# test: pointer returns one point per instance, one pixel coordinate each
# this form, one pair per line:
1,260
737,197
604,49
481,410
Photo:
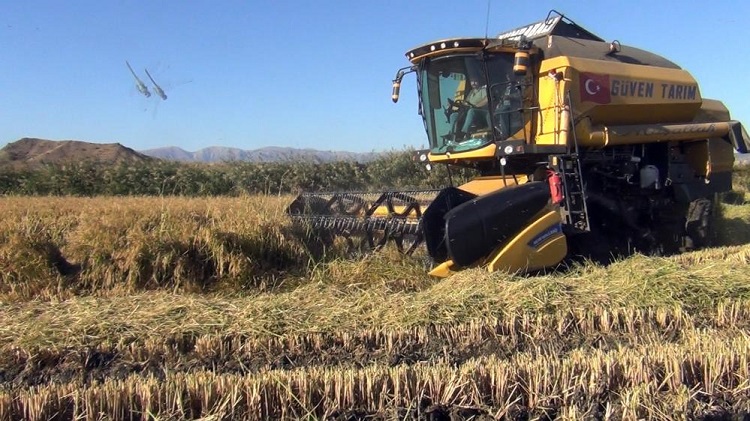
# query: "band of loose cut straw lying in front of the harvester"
693,281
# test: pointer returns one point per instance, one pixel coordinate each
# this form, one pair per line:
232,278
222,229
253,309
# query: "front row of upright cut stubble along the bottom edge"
654,381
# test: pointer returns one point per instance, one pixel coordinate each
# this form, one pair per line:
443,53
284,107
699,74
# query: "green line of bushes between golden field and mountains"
393,170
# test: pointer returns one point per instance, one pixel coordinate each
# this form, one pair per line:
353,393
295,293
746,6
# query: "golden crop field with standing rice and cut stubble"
173,308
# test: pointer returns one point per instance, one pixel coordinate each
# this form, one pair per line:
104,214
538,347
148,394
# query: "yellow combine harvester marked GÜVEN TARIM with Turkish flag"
583,147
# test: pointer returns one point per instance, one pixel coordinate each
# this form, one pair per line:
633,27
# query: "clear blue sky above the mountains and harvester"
306,74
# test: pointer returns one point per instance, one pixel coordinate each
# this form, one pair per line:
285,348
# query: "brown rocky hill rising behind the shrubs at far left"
31,153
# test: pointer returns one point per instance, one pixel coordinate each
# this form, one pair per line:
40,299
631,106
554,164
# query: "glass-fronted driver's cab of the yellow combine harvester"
471,100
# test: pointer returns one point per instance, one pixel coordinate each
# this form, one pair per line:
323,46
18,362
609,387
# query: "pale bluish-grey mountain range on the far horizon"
268,154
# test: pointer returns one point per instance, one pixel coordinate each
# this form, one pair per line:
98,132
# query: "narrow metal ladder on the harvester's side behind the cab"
575,211
